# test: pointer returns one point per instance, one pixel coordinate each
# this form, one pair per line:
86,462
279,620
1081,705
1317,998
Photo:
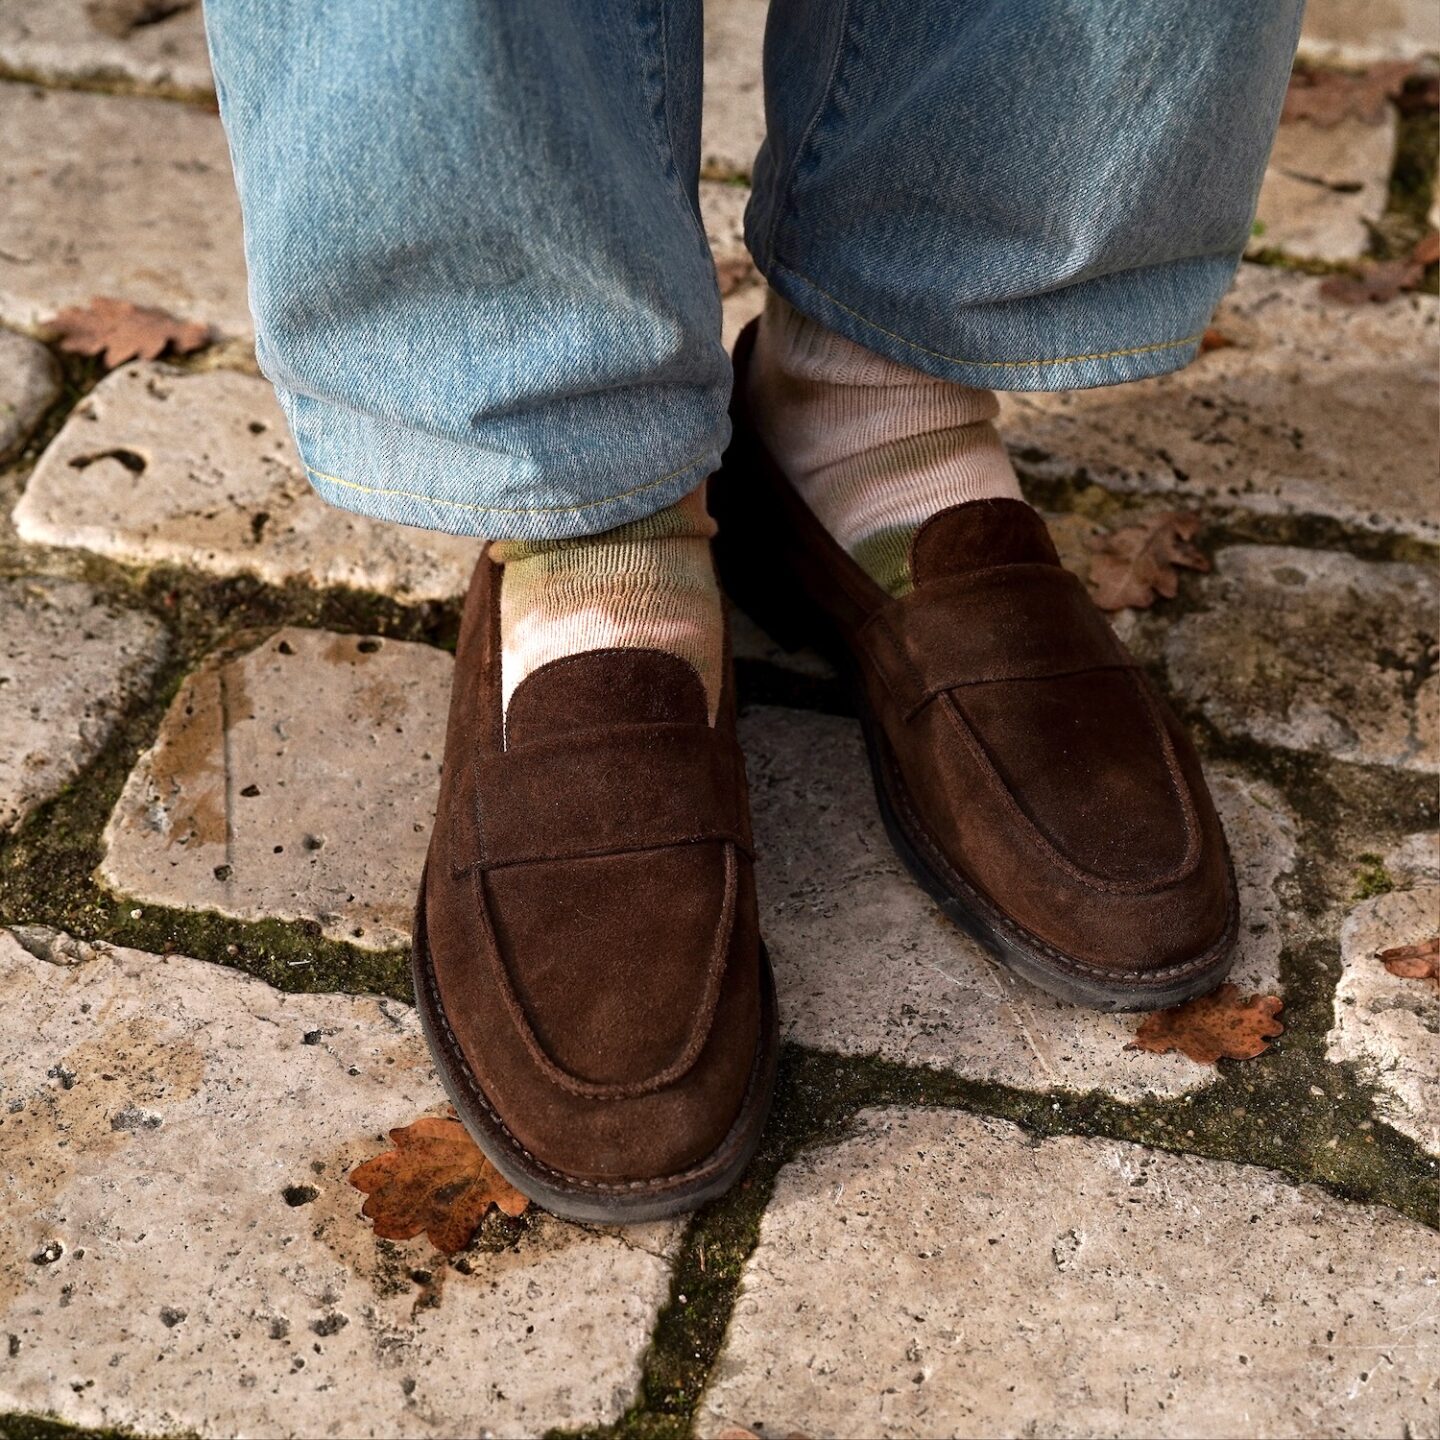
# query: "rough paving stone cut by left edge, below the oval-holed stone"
70,665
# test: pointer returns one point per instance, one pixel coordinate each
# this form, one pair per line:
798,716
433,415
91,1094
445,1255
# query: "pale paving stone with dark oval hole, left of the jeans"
161,466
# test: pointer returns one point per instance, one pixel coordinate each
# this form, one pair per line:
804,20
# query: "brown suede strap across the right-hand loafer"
1009,623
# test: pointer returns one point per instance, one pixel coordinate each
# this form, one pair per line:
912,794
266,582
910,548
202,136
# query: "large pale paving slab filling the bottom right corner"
945,1275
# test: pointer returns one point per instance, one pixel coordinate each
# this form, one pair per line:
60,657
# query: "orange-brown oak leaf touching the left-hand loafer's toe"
436,1182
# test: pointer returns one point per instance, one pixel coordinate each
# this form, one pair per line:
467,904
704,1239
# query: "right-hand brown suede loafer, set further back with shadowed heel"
1030,777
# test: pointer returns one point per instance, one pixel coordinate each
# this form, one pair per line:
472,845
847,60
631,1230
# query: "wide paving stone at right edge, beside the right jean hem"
1284,421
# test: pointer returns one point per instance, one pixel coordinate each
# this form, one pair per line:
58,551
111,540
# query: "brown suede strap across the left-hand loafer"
604,793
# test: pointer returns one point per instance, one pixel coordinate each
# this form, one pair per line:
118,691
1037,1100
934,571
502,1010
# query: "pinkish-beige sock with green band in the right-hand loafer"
873,447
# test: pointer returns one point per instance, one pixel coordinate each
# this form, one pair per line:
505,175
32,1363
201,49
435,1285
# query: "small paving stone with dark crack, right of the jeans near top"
1323,185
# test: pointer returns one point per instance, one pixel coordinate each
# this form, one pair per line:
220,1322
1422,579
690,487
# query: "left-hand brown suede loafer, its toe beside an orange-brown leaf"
588,964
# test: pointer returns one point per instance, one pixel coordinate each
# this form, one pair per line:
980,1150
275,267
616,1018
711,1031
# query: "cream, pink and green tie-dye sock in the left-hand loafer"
647,585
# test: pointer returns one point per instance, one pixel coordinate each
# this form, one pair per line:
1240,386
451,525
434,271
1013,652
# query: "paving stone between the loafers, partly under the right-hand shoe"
868,966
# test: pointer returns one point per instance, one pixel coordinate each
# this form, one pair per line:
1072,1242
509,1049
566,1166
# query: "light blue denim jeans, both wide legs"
480,282
